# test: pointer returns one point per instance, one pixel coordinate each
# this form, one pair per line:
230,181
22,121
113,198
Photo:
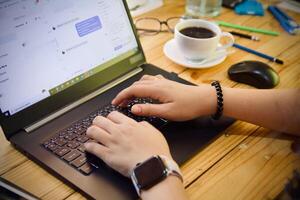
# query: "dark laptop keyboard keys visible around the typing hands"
67,144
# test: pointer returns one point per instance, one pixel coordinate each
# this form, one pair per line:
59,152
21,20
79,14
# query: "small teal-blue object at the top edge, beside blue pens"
249,7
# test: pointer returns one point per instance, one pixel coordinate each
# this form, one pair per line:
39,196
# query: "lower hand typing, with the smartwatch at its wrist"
123,142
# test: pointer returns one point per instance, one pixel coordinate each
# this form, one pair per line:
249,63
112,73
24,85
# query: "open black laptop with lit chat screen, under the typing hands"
61,64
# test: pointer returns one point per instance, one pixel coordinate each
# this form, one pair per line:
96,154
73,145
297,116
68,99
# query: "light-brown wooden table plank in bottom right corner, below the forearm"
256,169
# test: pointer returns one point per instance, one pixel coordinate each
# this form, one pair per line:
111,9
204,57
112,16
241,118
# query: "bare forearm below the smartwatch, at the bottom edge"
169,189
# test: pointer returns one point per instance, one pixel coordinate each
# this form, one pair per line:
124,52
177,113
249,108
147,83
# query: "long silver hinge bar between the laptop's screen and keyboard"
84,99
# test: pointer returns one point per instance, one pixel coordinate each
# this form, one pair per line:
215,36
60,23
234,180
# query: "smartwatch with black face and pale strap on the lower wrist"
152,171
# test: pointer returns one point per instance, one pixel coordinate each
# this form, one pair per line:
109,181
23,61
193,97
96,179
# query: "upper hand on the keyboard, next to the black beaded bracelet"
178,102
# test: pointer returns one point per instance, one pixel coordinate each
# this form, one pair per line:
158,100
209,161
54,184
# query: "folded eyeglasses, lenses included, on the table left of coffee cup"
153,26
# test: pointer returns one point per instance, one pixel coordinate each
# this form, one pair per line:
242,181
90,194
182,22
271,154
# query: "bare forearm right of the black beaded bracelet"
275,109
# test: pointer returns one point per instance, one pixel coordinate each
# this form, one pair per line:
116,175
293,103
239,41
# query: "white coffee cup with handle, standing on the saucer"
197,49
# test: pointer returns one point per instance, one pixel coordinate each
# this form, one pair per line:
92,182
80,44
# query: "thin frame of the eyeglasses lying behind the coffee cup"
165,22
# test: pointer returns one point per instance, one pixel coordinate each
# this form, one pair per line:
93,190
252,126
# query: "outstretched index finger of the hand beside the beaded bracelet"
136,91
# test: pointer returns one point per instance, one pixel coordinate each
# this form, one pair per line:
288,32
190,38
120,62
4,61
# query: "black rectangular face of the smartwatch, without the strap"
150,172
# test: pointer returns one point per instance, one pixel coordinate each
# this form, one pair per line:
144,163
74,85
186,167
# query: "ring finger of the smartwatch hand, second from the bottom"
99,135
